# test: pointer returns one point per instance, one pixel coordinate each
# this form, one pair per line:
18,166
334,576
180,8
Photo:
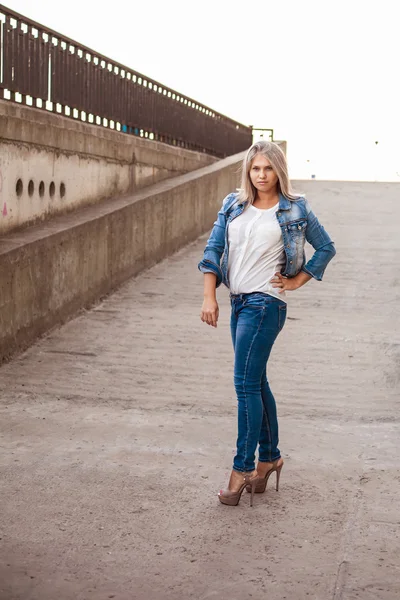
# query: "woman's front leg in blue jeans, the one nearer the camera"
256,330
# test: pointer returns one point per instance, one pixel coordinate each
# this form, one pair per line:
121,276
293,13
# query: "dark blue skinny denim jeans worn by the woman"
256,321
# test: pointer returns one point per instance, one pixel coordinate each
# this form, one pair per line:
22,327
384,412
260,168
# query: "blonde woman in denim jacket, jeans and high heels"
260,232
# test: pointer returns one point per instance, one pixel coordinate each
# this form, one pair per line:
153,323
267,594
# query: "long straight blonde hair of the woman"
277,158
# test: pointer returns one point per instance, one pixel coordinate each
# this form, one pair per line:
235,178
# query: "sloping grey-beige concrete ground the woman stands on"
118,430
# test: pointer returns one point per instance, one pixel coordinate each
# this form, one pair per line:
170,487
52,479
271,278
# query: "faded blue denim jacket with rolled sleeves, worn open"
298,223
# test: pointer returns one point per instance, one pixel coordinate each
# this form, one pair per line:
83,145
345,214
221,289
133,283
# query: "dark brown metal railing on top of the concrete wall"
44,69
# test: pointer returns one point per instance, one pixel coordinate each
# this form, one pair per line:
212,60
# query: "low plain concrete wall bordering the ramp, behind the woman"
51,270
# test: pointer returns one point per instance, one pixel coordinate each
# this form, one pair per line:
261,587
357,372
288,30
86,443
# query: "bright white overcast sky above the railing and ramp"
324,75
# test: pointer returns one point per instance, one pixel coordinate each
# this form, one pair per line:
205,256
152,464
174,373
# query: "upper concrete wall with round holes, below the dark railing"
50,164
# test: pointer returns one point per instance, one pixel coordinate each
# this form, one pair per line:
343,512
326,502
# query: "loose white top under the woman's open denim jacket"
256,251
